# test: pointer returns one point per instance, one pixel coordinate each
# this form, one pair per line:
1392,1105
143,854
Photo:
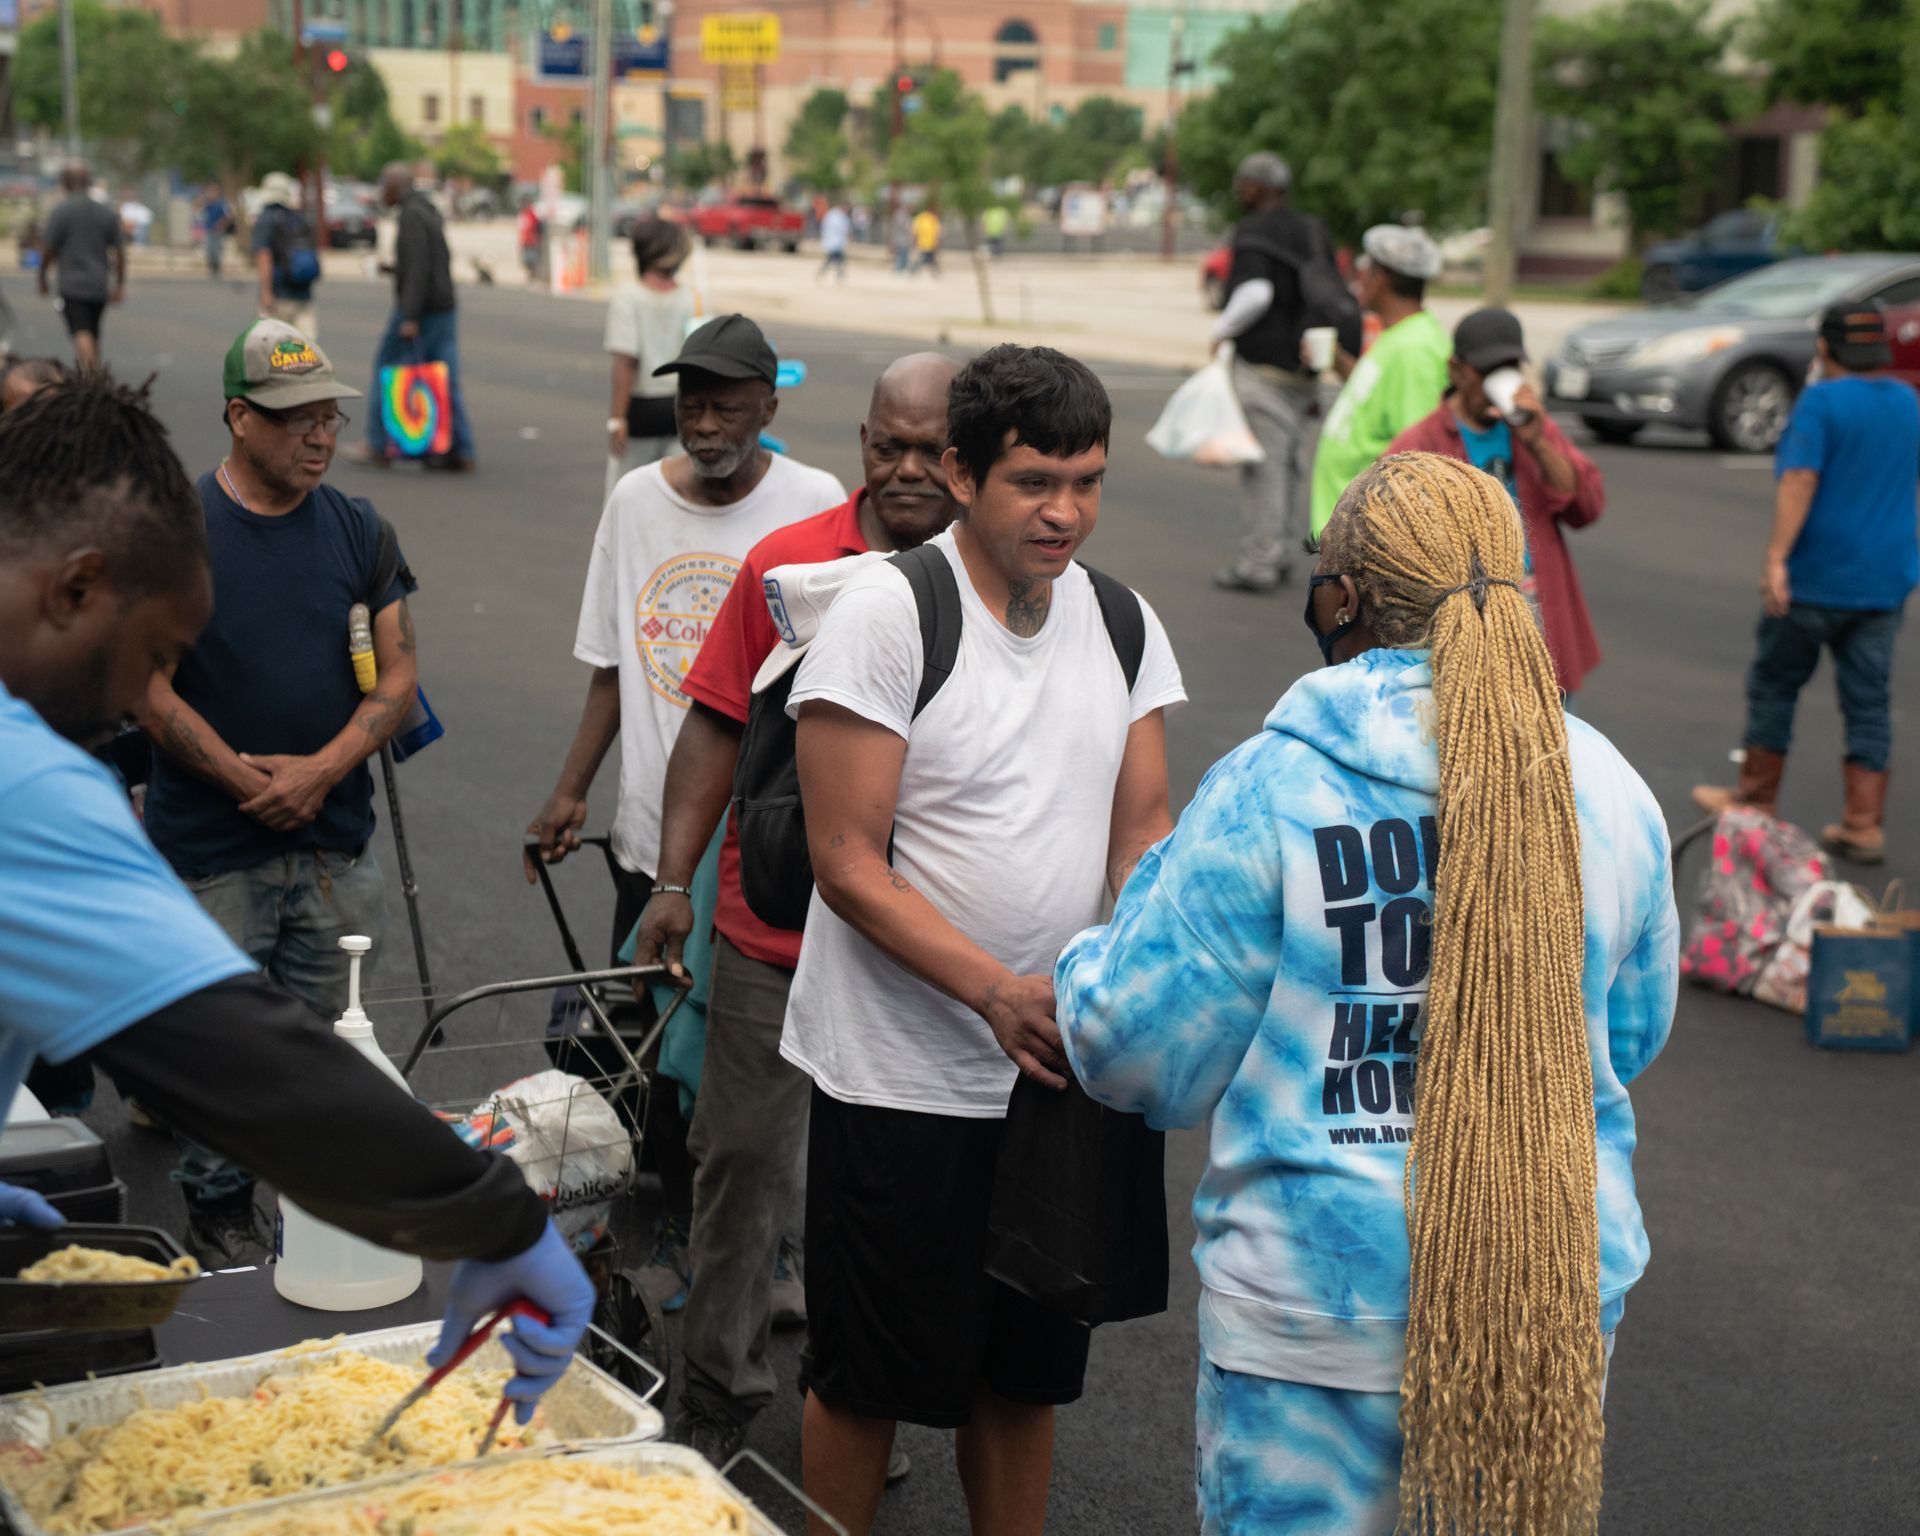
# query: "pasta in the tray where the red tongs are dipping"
302,1428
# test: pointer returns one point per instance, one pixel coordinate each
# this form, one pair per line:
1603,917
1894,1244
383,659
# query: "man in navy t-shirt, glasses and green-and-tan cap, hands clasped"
260,796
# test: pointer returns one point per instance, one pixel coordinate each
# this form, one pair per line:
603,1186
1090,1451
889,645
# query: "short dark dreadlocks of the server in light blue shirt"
85,464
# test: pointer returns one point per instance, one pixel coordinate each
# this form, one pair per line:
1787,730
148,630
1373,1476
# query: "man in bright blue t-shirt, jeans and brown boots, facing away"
1842,560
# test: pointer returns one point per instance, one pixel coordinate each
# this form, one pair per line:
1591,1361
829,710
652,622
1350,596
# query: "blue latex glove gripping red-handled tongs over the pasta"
550,1278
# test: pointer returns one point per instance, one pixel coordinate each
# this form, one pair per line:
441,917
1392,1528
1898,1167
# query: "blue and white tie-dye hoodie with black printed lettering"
1268,965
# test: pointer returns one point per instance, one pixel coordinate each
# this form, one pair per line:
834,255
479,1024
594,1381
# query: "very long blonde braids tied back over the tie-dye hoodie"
1500,1399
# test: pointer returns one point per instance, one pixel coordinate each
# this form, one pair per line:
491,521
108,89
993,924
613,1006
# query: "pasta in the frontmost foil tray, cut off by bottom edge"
531,1499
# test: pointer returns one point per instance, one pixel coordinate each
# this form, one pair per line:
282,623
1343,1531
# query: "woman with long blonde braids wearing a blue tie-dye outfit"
1410,1282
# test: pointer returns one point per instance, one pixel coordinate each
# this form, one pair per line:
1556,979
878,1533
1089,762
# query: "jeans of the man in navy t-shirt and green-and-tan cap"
289,915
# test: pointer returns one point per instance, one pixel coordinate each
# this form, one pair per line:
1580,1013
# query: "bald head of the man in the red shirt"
901,446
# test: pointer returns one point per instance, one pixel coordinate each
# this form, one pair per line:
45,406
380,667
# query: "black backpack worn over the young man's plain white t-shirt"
777,873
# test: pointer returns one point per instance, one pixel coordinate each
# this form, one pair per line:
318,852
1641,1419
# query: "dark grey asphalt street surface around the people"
1765,1372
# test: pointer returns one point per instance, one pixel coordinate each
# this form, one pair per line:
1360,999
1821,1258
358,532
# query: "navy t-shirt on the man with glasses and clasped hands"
272,673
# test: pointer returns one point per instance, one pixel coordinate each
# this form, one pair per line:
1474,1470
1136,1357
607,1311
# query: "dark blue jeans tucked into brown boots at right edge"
1863,661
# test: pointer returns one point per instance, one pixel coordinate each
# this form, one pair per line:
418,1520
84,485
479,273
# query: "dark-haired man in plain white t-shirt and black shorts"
957,848
